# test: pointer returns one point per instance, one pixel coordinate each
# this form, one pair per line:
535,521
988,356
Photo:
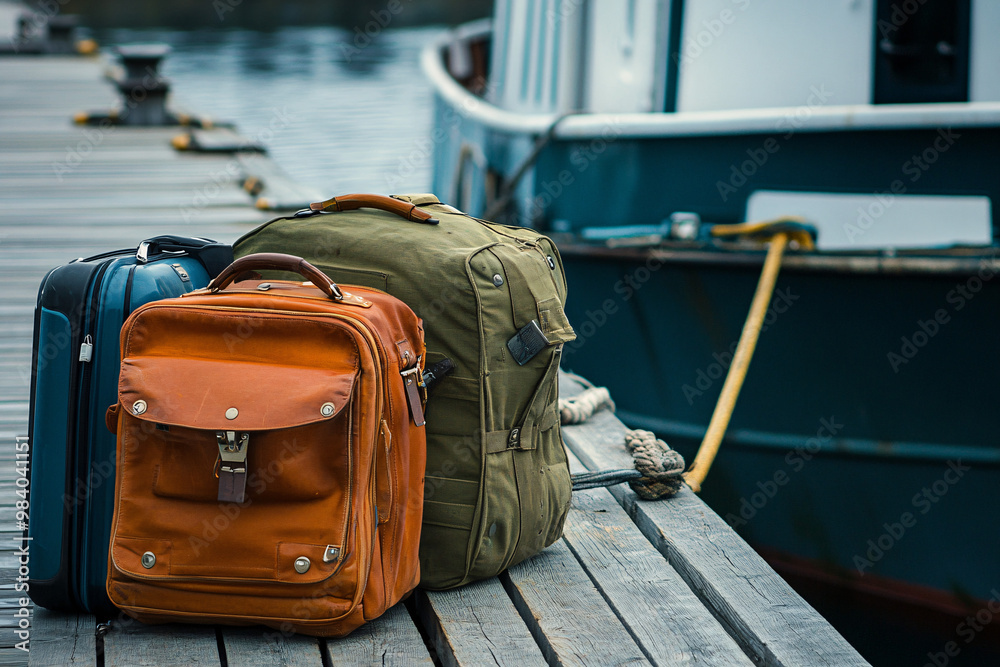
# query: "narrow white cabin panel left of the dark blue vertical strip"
627,61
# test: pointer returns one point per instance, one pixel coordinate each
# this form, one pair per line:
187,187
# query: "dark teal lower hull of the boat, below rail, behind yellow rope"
864,439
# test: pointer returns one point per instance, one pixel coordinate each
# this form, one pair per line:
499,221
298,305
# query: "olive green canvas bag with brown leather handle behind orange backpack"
497,484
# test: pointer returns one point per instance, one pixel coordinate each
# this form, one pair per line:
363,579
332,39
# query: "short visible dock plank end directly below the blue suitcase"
61,640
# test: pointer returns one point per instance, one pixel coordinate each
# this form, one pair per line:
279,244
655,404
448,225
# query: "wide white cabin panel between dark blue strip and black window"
739,54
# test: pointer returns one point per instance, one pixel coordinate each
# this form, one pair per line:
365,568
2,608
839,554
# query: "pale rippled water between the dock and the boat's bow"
334,116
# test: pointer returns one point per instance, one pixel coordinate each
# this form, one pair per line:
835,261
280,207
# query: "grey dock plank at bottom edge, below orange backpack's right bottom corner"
391,639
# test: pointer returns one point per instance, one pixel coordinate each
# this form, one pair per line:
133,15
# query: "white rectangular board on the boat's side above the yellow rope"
880,220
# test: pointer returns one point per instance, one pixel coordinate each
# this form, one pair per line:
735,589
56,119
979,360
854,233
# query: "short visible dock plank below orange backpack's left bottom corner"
133,644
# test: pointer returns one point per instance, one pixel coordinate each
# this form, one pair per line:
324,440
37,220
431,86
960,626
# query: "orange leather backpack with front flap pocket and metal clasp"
271,454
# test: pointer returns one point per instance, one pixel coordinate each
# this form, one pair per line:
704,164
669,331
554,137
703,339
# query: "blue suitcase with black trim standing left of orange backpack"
74,378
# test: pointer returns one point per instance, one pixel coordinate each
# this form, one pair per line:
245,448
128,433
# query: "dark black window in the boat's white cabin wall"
921,51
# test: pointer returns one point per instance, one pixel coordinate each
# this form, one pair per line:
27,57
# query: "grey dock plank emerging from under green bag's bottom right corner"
568,617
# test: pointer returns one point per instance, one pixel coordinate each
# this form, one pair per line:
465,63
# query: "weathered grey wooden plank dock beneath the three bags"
631,582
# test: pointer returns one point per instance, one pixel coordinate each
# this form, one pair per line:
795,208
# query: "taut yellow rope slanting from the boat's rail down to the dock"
741,362
